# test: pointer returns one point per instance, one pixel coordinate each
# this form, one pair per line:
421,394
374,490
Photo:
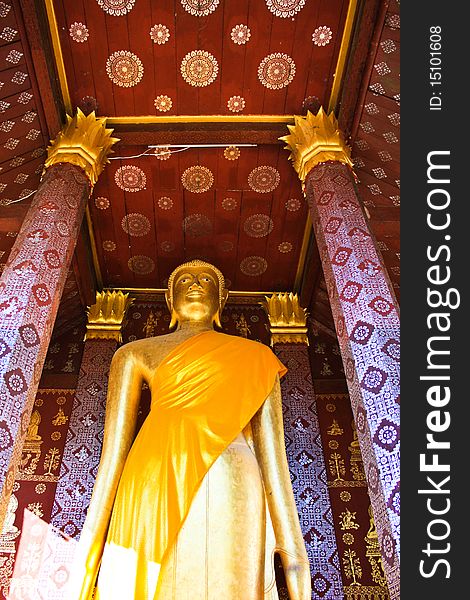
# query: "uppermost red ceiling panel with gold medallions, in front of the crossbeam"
306,33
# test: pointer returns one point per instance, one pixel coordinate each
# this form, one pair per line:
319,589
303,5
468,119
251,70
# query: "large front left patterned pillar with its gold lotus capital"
33,279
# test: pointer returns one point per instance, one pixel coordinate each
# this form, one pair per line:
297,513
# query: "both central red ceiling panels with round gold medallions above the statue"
256,242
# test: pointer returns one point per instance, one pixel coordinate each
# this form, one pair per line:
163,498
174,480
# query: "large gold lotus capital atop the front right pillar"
315,139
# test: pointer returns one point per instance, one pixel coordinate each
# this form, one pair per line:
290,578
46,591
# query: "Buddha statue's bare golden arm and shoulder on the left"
124,388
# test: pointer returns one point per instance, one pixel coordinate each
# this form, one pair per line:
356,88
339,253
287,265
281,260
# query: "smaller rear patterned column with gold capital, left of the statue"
85,434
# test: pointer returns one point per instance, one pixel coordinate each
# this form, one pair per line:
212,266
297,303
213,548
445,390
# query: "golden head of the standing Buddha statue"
196,294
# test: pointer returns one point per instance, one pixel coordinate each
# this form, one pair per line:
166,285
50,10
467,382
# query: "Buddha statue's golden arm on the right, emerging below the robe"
268,435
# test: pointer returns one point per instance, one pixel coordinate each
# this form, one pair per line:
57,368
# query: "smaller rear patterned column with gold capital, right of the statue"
303,444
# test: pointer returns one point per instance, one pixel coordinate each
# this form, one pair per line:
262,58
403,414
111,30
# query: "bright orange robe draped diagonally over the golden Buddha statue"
204,393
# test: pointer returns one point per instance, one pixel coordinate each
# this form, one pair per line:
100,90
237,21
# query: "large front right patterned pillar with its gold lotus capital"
365,314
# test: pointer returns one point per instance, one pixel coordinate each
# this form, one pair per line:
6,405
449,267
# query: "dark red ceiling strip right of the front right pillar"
376,148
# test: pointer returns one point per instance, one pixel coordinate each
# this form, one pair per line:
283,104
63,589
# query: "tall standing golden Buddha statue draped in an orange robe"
198,504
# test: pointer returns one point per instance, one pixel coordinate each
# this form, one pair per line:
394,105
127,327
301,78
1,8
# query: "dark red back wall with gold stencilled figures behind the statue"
357,562
